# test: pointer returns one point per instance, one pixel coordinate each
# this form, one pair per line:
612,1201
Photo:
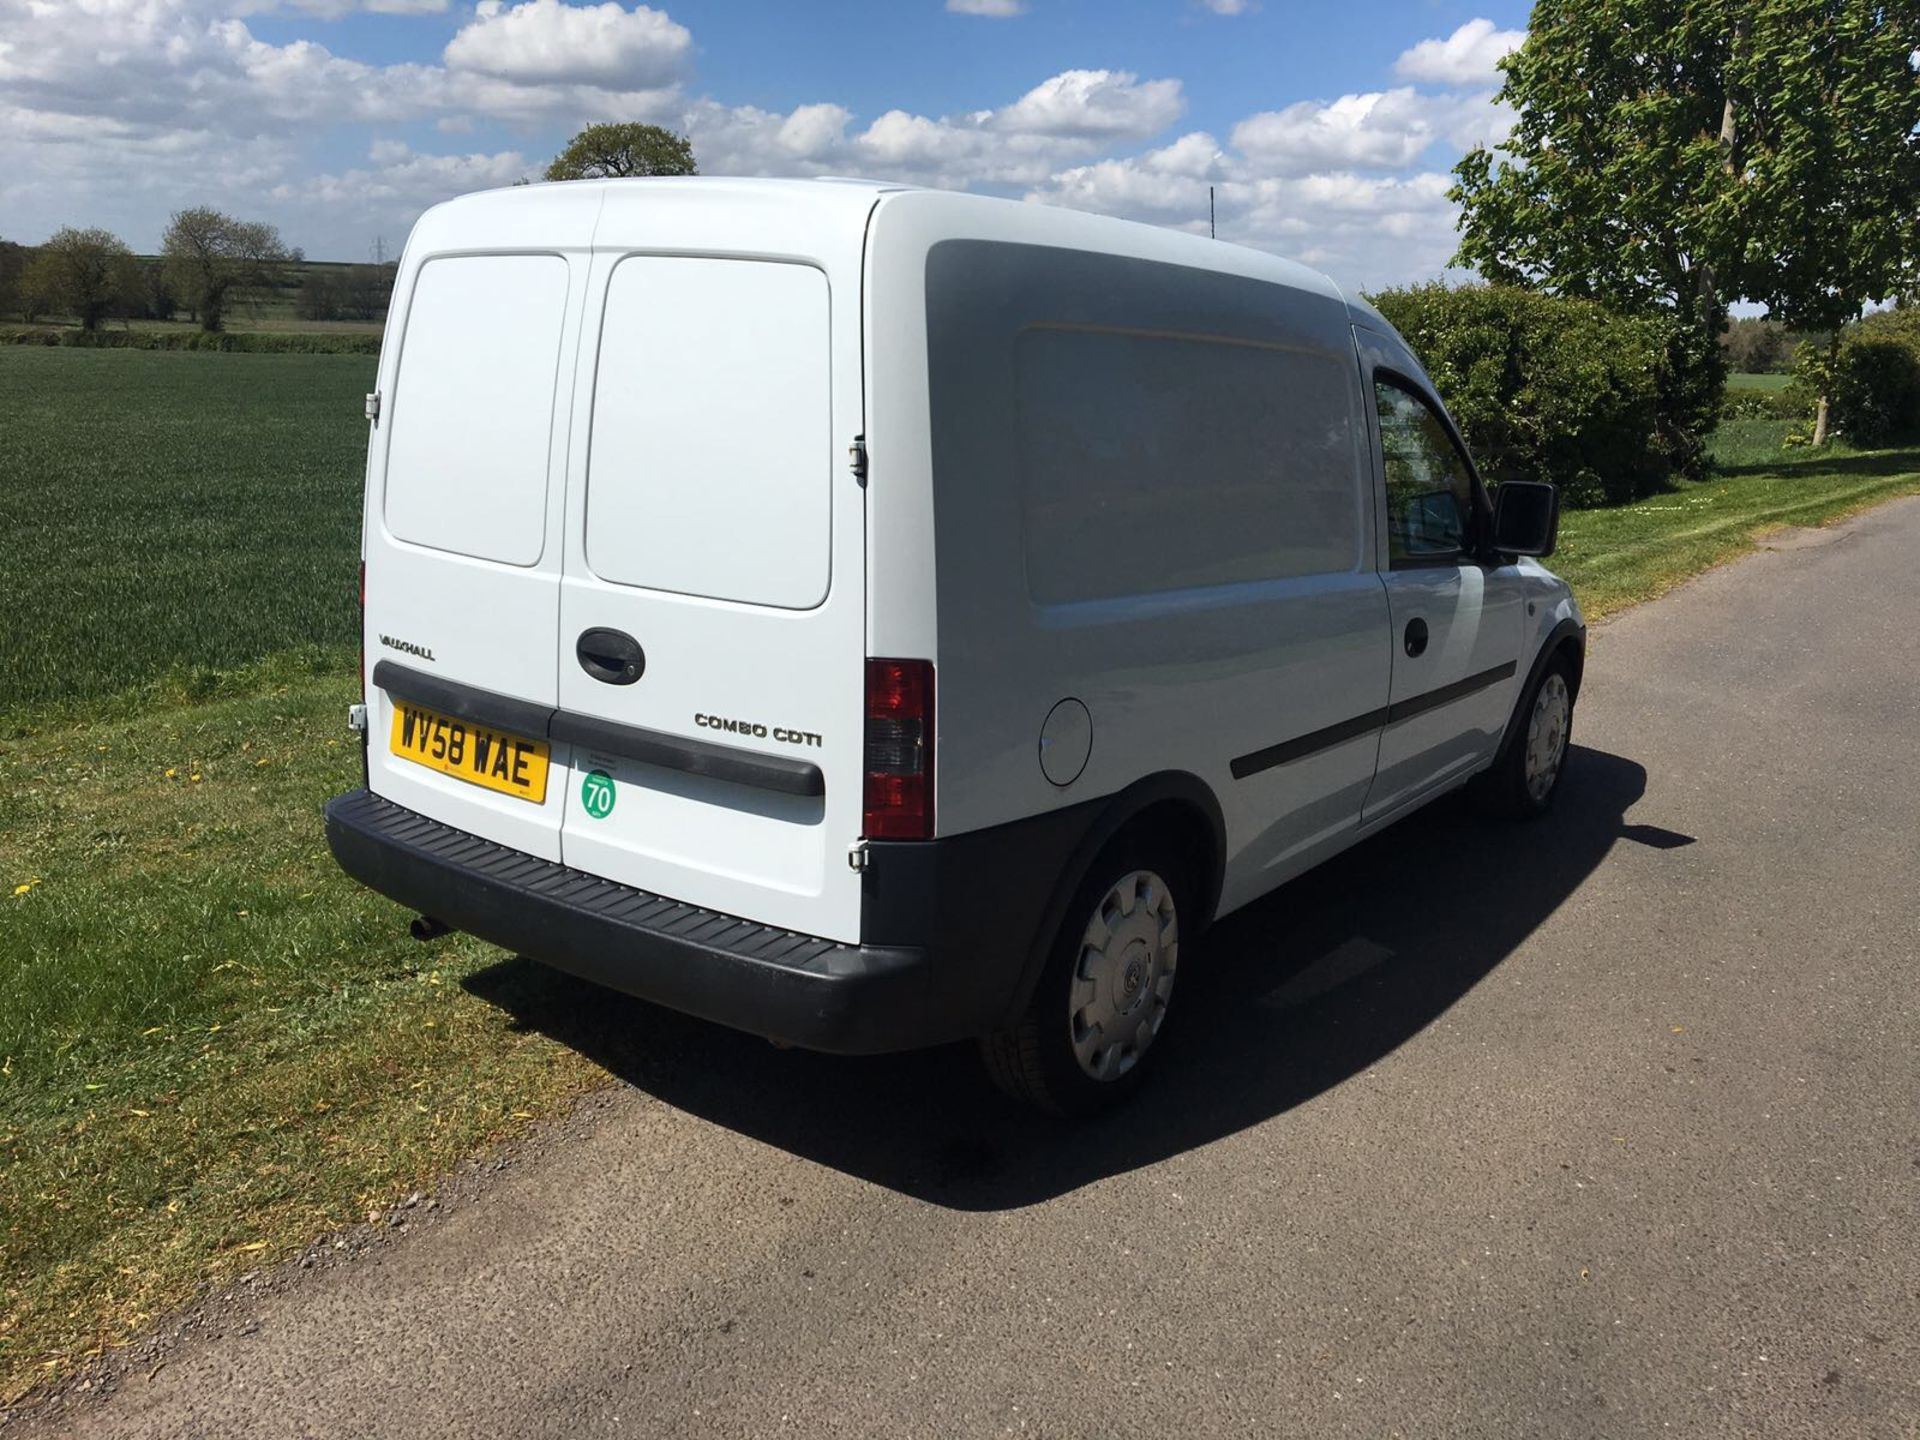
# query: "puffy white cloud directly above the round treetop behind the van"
546,41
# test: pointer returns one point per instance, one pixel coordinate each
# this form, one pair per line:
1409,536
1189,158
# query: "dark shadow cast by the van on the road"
1285,999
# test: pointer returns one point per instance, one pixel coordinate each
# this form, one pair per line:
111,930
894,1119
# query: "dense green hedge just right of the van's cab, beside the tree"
1547,389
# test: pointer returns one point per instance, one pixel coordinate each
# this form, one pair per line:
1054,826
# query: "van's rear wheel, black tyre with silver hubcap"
1107,990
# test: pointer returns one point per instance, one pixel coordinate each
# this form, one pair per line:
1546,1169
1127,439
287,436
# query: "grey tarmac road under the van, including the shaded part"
1604,1126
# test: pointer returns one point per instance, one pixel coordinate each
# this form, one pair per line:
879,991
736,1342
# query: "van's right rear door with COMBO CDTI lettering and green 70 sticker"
713,600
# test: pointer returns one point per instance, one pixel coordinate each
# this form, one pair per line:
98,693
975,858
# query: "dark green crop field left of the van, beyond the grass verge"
174,517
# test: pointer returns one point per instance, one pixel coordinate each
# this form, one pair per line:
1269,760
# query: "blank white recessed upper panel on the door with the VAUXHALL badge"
471,418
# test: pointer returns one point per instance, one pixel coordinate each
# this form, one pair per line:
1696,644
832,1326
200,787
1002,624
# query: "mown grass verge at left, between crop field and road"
212,1044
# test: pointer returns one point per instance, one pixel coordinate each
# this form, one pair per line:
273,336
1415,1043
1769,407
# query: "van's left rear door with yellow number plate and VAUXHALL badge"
464,517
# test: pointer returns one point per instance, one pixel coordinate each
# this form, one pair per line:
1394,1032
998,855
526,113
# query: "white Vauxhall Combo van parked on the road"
880,617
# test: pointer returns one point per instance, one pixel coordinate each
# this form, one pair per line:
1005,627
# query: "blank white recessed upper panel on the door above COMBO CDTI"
711,452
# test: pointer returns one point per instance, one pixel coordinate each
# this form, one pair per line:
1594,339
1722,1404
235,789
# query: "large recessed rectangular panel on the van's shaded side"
1161,462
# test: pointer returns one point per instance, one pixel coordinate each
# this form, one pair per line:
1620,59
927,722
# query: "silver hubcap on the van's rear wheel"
1124,976
